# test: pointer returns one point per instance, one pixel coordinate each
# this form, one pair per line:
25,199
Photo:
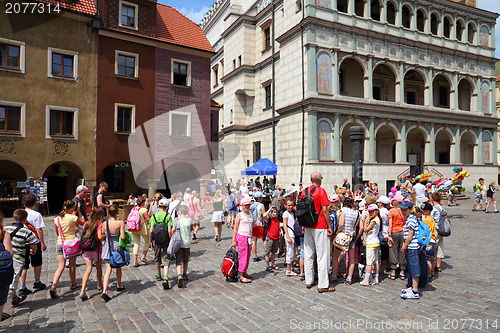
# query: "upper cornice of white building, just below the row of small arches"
311,22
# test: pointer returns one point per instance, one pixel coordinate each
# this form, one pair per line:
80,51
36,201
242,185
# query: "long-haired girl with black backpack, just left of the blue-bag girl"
90,239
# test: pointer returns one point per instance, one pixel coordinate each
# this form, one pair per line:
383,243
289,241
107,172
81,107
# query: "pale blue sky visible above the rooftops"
196,9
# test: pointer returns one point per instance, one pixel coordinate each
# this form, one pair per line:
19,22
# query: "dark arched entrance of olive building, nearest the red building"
62,179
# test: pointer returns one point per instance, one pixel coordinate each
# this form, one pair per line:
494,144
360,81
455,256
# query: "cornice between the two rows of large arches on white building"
386,110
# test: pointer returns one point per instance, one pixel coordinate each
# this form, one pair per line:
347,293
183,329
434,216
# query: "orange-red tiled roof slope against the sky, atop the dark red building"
175,28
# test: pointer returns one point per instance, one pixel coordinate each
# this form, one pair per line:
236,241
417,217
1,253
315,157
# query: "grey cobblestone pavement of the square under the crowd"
464,297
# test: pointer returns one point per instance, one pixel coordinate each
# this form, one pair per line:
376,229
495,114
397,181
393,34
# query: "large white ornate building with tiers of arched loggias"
417,75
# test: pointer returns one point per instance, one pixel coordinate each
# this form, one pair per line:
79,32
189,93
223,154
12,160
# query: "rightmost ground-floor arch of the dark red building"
178,177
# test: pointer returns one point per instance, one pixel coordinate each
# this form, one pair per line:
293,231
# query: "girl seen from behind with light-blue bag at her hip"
116,231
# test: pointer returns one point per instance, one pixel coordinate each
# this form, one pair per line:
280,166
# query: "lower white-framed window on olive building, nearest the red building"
61,122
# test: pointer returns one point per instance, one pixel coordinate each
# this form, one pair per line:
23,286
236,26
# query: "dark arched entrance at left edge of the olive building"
10,174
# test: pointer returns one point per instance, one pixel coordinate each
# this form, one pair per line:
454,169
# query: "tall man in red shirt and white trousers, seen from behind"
316,237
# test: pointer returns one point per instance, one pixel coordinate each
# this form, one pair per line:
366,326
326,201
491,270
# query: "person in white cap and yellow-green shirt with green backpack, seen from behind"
161,256
